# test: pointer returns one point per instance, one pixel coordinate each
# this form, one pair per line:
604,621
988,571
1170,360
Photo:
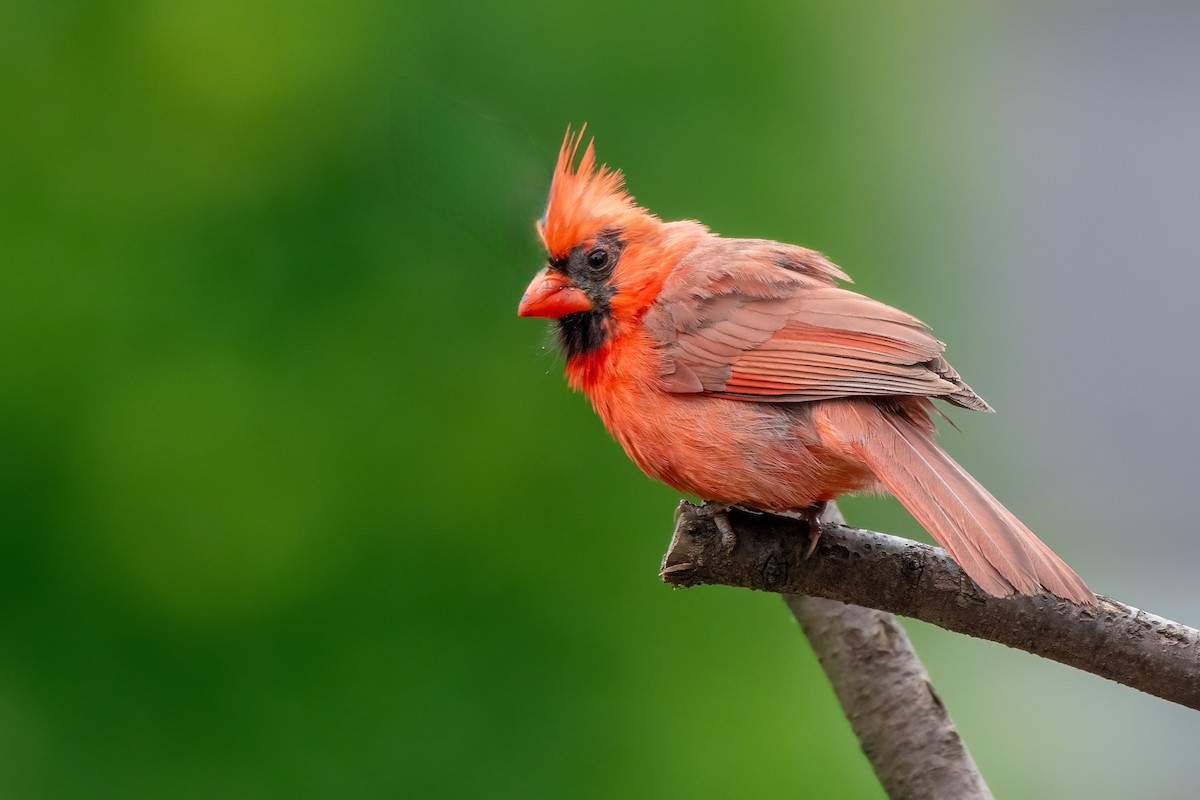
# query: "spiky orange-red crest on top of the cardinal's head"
583,201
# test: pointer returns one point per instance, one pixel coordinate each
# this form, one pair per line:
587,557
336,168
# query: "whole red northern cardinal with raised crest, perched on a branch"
739,371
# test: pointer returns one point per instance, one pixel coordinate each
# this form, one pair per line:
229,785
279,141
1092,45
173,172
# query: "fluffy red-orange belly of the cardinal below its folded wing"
764,455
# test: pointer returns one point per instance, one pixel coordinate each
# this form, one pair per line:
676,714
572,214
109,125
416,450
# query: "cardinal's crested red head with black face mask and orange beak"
601,245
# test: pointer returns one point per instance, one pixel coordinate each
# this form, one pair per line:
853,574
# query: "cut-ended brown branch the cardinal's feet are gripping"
904,578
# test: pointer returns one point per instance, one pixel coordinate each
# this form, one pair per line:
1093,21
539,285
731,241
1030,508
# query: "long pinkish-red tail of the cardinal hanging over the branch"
985,538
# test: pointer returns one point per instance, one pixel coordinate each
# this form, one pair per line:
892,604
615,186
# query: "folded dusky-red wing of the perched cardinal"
754,329
